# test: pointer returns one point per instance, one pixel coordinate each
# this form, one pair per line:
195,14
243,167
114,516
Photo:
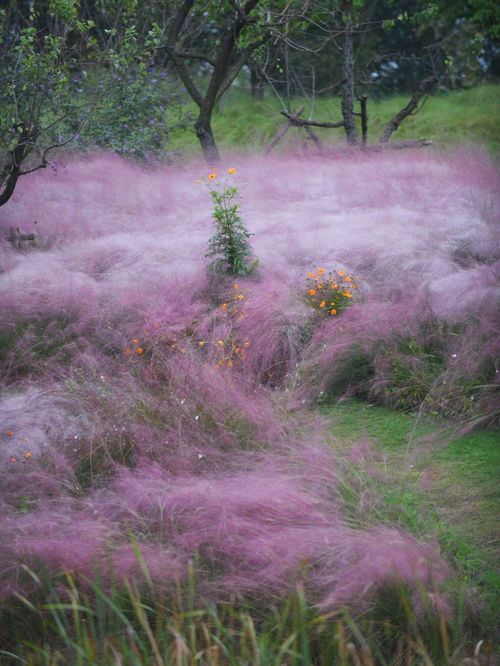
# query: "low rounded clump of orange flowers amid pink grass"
330,293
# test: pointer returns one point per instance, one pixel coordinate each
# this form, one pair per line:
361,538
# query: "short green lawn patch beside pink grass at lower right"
430,483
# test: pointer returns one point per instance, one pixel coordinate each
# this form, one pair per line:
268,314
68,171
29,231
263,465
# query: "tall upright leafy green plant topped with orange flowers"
229,245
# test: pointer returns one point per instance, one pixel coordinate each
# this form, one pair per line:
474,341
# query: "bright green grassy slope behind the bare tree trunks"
447,118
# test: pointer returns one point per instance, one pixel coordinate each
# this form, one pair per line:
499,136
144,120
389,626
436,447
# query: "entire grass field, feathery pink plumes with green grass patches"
199,468
